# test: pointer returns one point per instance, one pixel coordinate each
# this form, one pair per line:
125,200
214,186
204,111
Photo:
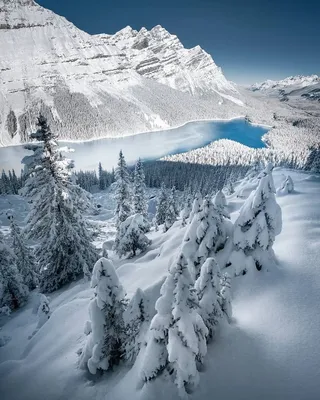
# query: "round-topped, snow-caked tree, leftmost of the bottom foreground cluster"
106,329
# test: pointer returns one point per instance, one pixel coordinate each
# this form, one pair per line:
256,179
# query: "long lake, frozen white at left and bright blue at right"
148,146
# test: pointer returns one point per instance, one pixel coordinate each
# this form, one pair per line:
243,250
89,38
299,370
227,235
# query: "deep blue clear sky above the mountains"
251,40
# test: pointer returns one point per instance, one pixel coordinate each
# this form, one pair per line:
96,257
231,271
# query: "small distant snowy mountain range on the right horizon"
286,85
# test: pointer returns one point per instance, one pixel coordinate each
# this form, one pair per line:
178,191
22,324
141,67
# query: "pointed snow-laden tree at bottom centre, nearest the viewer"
177,334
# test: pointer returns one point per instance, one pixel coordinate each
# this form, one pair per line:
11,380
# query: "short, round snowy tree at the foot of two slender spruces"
131,236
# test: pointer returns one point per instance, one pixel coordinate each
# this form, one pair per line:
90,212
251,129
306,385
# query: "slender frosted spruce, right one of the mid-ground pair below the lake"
139,191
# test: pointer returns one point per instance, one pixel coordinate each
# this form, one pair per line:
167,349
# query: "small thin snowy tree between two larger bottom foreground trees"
136,319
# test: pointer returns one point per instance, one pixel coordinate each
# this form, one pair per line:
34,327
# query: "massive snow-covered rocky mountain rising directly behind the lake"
101,85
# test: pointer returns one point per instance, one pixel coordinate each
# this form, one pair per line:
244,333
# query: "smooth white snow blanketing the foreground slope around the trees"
270,350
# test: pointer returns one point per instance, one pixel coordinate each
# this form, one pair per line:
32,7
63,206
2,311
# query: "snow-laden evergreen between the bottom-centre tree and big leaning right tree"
205,236
